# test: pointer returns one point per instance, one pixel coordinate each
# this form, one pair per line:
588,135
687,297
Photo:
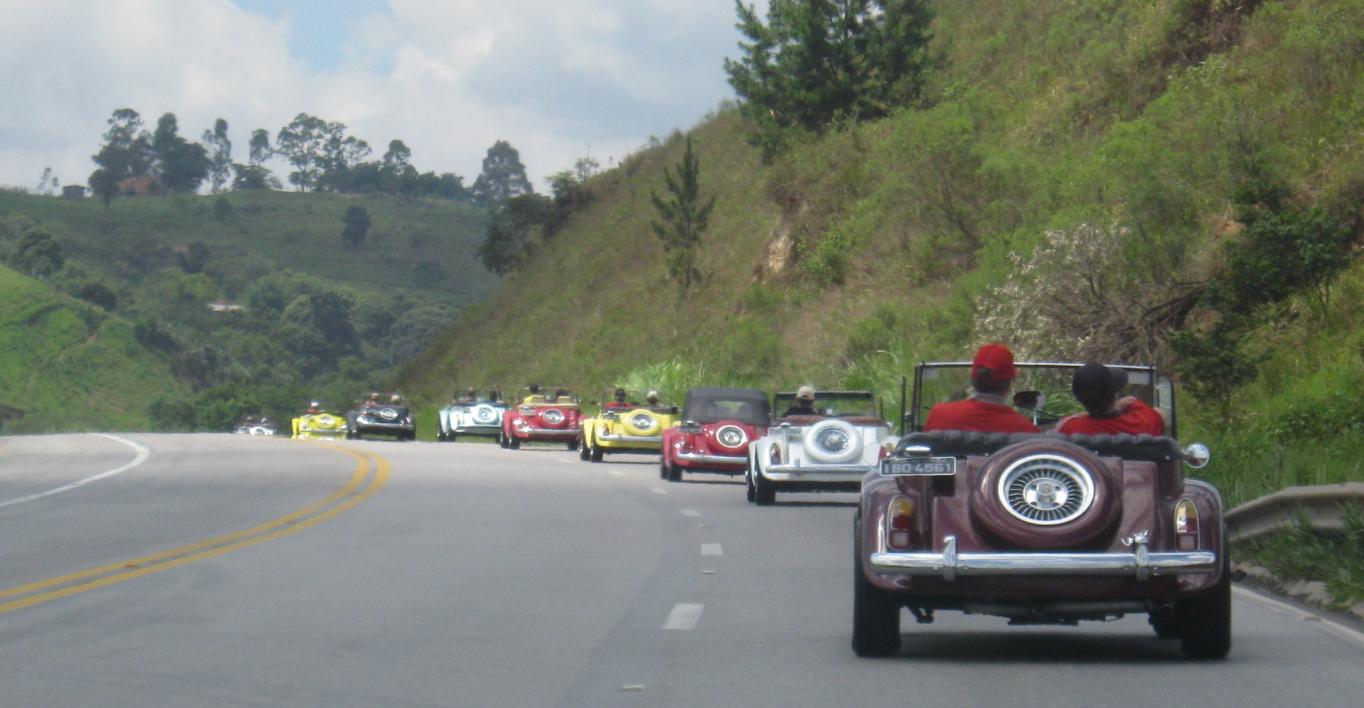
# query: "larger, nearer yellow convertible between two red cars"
625,425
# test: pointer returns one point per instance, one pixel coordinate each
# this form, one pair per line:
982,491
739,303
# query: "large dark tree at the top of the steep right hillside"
816,62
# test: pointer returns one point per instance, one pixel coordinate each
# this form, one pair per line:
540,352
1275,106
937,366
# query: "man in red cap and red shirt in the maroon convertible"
987,410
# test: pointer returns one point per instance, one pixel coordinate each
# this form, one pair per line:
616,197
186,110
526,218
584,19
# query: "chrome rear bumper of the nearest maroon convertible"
950,564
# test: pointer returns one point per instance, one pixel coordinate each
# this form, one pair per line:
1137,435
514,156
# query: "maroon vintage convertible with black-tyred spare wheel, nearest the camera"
1041,527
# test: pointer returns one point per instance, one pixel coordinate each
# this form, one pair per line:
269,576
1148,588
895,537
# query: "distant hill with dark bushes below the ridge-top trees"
305,302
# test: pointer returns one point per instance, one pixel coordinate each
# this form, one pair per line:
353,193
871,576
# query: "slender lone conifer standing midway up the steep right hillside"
684,219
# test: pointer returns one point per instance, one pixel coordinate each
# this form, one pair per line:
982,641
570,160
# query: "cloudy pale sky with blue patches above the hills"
560,80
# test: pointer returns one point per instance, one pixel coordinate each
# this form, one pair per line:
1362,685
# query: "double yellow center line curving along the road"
361,488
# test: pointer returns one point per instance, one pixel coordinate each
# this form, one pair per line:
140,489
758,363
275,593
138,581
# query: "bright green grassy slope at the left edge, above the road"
70,366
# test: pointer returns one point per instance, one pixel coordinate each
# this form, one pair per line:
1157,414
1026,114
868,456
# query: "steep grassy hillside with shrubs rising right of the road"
1061,145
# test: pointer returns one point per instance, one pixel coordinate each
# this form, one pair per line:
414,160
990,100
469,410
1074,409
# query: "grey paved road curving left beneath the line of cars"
222,571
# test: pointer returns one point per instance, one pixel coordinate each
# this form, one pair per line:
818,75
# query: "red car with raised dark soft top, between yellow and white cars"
718,426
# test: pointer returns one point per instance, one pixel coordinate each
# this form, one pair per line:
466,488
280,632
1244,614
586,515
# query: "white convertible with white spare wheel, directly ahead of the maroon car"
829,451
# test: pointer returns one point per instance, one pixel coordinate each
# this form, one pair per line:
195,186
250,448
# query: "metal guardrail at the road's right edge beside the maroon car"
1322,505
